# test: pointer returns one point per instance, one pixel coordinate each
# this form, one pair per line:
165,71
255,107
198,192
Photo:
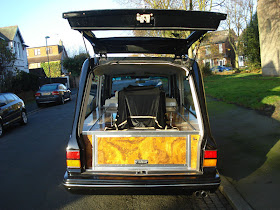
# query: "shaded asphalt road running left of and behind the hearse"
32,166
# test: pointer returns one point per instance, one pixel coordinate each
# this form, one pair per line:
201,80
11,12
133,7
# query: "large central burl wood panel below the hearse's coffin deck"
157,150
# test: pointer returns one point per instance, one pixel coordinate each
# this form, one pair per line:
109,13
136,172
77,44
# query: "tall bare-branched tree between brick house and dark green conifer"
239,15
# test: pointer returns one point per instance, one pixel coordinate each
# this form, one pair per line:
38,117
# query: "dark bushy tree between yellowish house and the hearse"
75,63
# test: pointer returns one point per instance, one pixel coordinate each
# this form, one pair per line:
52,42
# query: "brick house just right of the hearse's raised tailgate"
216,50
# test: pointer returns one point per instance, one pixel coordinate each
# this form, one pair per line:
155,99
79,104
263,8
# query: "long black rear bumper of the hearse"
187,182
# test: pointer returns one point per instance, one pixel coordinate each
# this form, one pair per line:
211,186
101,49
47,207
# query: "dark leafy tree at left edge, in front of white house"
7,58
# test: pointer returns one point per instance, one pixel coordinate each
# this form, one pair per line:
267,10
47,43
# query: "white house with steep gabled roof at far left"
13,37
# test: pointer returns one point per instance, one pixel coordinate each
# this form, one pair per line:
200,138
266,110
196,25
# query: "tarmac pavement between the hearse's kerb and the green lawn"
249,152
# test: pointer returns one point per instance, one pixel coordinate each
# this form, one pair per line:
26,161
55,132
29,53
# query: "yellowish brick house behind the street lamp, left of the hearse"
52,54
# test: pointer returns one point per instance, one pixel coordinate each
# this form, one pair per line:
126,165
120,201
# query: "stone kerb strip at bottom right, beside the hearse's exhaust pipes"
232,195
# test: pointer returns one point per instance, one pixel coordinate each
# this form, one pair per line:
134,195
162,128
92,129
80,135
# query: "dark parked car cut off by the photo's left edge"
12,110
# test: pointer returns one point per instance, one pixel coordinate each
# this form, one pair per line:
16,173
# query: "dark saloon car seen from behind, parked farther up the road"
52,93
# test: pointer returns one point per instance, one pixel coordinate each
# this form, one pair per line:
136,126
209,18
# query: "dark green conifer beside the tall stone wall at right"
252,42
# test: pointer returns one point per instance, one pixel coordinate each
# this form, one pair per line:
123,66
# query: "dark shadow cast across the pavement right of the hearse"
244,138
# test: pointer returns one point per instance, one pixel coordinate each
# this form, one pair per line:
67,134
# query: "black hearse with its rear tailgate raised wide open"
148,125
